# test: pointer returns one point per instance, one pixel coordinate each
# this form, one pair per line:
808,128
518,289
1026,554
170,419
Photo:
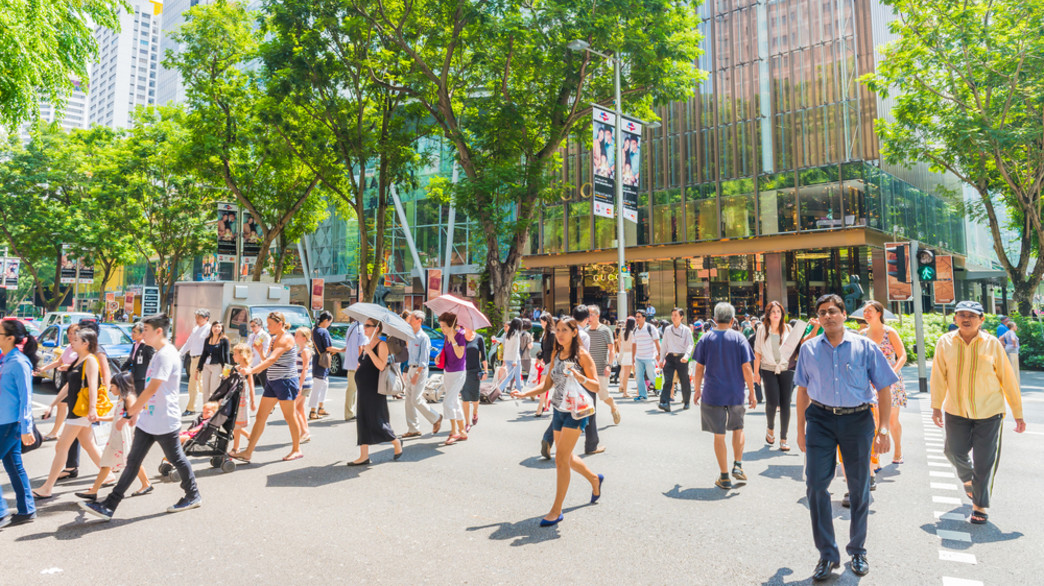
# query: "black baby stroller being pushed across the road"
217,437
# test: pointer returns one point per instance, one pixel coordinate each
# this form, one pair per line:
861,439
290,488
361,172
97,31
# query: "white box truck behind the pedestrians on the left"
235,304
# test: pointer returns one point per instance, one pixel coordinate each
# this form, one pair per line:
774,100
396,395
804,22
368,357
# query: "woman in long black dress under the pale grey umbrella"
373,424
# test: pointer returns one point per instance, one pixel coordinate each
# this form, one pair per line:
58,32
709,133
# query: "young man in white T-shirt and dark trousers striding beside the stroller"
156,416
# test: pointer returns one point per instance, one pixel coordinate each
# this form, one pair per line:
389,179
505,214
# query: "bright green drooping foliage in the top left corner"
44,49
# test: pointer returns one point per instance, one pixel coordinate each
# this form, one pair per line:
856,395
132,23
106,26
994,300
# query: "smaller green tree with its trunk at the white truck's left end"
172,209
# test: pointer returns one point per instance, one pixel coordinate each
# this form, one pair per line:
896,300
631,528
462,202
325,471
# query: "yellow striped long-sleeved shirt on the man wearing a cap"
972,381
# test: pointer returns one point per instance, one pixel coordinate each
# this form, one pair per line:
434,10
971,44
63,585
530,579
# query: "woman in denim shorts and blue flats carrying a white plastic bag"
570,361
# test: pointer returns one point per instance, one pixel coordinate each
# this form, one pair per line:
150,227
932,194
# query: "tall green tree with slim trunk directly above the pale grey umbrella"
361,138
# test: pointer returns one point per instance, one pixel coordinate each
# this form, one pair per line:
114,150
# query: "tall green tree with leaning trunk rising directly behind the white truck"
230,137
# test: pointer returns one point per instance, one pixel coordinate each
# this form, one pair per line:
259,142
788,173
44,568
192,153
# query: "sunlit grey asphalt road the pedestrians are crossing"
469,513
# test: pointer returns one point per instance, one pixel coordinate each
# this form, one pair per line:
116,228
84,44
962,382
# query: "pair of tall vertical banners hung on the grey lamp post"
604,161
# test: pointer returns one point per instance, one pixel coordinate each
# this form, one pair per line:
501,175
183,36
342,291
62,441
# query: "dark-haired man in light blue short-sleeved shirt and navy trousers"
837,376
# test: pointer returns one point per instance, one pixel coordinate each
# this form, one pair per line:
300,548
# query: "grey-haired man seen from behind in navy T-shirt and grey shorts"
725,359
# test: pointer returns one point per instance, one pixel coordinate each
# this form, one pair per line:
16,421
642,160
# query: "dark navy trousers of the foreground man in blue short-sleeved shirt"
825,433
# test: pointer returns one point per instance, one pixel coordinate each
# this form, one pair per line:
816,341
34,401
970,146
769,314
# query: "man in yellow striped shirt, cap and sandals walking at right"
971,378
